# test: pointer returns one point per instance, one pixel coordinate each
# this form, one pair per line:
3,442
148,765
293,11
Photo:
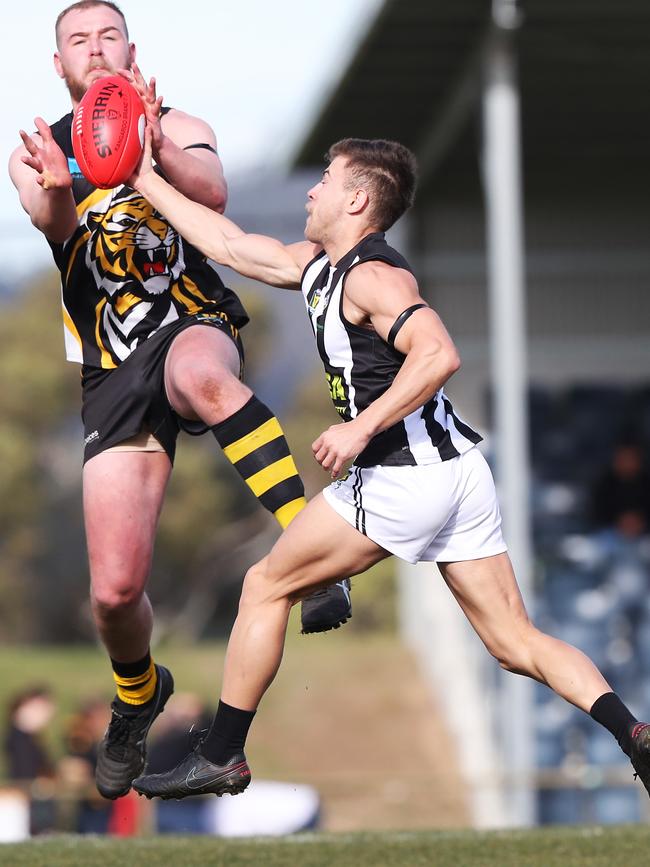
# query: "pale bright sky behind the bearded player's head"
256,71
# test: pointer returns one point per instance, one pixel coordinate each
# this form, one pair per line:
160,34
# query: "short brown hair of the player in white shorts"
387,168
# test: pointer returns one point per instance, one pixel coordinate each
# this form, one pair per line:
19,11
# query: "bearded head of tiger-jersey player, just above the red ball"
92,43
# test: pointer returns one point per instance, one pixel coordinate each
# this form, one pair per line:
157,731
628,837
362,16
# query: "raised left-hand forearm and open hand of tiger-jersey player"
39,171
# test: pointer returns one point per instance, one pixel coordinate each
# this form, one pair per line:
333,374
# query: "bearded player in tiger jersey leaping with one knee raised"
157,335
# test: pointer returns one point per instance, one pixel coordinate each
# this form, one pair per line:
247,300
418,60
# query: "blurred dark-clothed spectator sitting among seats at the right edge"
620,499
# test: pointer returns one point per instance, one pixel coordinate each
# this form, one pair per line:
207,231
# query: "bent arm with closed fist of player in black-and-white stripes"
376,294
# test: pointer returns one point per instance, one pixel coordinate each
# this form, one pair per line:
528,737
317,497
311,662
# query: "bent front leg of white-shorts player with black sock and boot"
315,549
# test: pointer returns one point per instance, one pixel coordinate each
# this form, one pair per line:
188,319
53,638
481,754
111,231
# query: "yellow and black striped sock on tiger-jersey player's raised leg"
254,443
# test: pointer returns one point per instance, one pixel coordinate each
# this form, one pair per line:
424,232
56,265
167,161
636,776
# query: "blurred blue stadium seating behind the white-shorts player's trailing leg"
592,593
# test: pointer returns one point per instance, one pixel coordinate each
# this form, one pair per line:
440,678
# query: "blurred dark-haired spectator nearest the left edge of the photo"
28,716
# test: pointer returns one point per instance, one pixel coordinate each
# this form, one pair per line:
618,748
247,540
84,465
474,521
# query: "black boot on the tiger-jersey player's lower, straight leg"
122,753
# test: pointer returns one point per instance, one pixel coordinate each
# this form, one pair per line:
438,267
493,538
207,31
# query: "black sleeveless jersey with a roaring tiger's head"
126,272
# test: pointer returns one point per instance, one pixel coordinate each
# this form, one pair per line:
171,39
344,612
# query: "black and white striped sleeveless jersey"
360,367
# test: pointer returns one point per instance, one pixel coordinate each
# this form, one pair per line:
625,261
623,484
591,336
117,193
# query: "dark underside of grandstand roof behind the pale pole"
584,72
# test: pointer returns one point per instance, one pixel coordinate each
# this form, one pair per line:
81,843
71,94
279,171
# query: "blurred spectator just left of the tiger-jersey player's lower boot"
83,733
